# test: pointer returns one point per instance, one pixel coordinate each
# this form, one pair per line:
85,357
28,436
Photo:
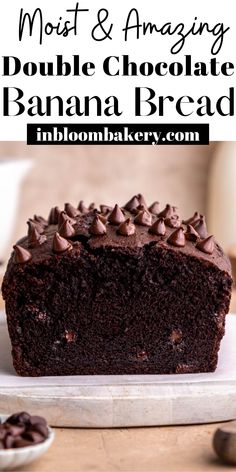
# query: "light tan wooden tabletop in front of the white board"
159,449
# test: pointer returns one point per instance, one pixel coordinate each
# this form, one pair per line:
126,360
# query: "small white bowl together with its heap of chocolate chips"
23,439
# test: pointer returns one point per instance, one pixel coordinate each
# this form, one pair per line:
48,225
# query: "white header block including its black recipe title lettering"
142,61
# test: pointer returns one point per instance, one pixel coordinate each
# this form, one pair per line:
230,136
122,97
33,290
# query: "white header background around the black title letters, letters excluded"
153,48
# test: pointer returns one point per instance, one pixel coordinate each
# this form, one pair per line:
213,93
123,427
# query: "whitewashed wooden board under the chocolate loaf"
117,401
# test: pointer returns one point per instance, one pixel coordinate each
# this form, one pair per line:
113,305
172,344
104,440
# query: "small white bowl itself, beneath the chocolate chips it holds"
12,458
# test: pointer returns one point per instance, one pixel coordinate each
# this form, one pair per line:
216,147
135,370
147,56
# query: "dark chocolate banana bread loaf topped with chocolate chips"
116,290
